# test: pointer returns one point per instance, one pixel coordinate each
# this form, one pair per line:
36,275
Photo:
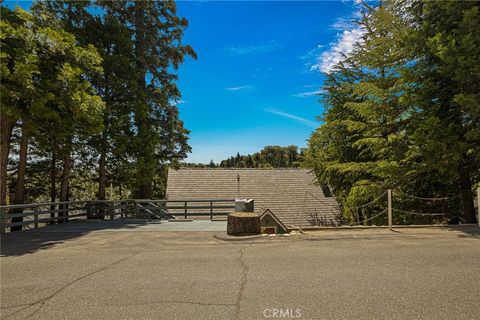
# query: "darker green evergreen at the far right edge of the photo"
446,45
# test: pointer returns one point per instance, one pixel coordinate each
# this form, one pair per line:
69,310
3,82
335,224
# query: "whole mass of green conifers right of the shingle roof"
401,110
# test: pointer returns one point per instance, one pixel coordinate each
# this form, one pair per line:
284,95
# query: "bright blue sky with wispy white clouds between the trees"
258,70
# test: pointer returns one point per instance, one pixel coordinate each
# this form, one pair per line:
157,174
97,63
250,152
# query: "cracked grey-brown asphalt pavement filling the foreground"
137,273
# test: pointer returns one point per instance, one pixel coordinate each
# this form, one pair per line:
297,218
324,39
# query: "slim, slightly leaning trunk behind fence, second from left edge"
20,183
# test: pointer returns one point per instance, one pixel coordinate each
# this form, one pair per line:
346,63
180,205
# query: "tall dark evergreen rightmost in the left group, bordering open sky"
158,49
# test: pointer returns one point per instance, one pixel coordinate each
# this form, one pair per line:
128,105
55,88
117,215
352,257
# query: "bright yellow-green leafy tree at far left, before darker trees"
54,90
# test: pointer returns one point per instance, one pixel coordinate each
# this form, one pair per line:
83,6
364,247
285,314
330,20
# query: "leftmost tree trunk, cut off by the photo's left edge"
6,127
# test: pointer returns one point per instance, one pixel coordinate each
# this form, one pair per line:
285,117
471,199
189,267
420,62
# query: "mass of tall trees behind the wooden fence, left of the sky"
89,99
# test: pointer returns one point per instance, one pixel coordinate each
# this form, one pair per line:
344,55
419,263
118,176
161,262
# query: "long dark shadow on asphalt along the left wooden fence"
30,241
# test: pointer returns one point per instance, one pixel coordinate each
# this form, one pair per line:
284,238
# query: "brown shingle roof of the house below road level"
280,190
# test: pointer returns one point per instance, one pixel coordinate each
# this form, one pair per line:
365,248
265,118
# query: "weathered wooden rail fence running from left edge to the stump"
27,216
